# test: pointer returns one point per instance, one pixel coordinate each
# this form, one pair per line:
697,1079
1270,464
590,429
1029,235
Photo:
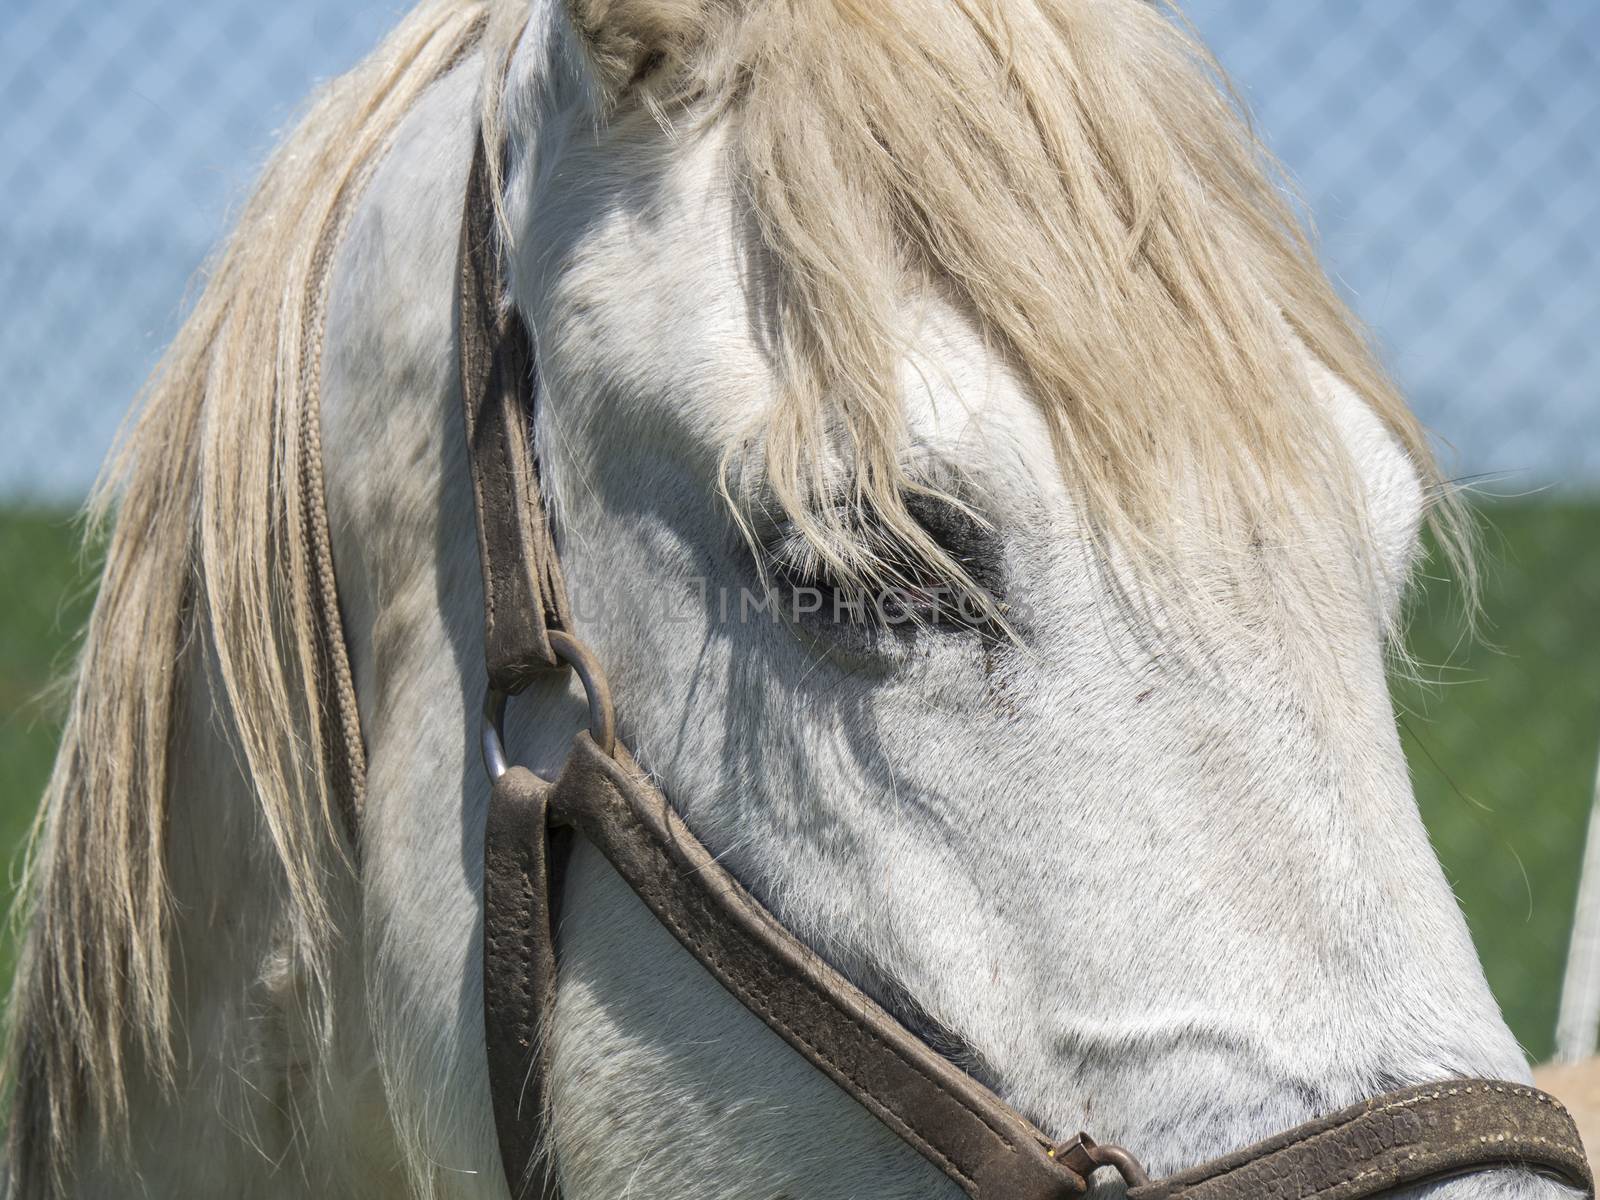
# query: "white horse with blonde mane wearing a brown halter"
980,295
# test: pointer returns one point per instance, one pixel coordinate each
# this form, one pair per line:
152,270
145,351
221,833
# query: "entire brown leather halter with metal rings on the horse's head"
958,1124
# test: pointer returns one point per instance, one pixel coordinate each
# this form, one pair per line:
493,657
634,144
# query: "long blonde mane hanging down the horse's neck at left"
204,508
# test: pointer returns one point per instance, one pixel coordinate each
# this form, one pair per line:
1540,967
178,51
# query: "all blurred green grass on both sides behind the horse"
1503,751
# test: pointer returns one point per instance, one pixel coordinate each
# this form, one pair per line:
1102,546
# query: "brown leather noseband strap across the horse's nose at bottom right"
1412,1137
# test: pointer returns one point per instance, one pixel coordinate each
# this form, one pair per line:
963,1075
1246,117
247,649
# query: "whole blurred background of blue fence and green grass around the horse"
1447,150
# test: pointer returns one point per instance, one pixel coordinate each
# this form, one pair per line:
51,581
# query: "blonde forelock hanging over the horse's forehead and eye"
1078,178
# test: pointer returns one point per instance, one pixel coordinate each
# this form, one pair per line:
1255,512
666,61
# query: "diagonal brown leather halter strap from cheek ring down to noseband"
958,1124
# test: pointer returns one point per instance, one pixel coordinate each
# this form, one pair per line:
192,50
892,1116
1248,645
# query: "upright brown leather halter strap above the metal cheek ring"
524,596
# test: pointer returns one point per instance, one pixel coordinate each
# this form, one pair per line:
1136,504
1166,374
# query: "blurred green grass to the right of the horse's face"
1503,750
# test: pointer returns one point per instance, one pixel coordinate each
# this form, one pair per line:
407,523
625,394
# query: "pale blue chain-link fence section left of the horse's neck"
130,134
